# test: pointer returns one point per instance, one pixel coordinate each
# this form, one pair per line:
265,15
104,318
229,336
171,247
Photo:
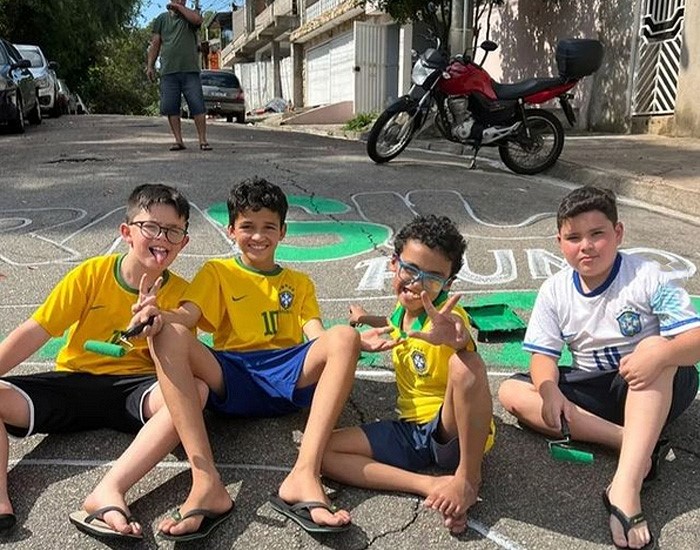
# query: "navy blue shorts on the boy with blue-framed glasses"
411,446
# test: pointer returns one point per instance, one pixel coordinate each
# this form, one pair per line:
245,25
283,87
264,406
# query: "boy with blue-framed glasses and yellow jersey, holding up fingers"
444,403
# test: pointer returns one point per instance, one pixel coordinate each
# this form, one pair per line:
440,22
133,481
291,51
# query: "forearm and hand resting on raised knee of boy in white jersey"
645,363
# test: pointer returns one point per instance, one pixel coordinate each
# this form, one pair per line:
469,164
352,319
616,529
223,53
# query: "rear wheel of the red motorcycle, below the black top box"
535,153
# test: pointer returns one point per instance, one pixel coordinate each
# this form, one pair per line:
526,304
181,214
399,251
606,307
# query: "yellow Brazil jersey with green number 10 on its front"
246,309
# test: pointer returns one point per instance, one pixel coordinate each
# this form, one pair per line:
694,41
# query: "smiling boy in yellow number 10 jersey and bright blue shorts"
260,365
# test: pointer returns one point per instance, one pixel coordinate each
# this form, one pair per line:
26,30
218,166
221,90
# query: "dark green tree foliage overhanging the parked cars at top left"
70,32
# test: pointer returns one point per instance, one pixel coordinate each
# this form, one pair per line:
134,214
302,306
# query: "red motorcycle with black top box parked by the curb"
469,107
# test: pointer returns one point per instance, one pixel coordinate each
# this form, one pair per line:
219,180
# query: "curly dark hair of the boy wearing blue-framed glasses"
437,233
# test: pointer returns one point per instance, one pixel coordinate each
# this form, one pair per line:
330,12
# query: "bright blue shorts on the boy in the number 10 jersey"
262,383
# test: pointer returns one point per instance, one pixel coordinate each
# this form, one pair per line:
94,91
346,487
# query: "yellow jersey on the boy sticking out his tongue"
92,302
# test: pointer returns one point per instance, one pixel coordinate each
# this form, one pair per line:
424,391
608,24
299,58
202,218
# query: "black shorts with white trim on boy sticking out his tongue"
61,402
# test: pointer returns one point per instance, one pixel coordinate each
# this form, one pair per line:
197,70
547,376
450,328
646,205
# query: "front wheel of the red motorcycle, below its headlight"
391,133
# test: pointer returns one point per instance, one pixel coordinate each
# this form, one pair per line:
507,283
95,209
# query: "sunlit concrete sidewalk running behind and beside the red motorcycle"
659,170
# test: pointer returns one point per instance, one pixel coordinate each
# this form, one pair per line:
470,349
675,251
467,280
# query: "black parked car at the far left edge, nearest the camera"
19,100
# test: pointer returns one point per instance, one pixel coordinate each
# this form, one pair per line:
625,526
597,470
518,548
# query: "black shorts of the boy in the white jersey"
603,393
